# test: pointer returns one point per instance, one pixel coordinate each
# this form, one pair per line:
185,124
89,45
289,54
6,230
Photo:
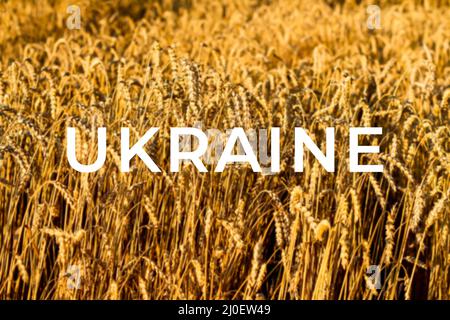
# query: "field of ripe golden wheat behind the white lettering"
236,234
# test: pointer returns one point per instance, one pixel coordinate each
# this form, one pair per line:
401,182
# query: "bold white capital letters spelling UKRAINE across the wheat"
227,156
